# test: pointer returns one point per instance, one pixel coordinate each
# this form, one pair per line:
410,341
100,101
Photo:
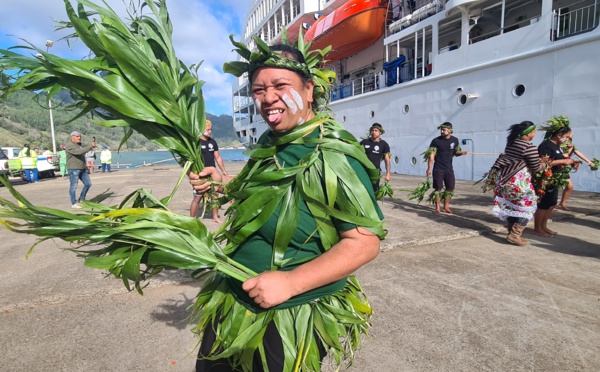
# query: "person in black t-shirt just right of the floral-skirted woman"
551,147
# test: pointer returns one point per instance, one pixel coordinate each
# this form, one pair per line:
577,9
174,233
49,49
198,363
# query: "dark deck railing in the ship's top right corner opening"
573,22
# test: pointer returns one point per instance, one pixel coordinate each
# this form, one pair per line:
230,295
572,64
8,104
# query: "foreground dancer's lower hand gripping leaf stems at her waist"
269,288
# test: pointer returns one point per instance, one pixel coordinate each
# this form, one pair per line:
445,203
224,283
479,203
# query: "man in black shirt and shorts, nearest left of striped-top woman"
443,149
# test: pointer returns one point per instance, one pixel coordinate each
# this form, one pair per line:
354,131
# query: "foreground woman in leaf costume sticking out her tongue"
304,217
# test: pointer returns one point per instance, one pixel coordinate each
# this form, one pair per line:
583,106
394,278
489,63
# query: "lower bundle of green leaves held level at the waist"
134,240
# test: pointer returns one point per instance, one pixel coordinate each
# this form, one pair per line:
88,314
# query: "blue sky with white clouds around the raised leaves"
201,31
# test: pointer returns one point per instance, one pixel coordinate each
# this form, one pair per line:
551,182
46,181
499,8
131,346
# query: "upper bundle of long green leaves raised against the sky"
133,79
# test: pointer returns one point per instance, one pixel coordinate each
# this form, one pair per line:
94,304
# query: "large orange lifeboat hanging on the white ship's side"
350,28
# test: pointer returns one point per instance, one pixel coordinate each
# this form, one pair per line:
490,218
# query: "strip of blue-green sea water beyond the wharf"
137,158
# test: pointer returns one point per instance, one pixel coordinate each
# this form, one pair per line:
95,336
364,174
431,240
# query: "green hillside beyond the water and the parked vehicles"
25,119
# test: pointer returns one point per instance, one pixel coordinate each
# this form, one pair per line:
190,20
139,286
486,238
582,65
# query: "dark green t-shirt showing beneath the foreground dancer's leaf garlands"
256,252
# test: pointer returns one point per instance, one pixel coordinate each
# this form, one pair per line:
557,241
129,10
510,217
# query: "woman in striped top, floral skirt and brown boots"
515,200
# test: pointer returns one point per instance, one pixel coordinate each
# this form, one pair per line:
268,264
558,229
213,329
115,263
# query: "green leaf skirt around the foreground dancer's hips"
336,322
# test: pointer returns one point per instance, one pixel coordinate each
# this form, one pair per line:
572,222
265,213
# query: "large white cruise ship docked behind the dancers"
479,64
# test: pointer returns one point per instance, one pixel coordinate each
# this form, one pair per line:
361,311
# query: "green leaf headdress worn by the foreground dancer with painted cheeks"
263,56
